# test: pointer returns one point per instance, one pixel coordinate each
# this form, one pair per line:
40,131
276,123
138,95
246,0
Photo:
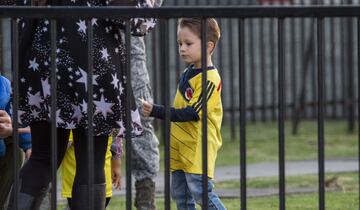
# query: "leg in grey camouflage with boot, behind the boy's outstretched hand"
145,152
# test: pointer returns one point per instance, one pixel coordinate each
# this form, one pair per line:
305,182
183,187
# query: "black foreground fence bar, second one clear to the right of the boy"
281,120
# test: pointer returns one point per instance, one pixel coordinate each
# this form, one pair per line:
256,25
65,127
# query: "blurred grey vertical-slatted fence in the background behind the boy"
261,63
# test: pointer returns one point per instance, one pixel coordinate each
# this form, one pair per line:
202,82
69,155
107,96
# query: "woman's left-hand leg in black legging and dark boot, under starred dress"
36,173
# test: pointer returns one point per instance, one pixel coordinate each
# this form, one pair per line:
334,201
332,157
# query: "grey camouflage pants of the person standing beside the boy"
145,151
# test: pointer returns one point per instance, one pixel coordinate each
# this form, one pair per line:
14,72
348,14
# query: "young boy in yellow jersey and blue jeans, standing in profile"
186,114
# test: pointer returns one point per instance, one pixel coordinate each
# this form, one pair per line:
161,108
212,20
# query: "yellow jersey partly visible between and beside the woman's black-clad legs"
68,170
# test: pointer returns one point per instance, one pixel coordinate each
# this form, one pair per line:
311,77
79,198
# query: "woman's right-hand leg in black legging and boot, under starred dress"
80,186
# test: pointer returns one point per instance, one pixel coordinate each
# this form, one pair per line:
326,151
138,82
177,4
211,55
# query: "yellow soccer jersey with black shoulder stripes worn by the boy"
186,137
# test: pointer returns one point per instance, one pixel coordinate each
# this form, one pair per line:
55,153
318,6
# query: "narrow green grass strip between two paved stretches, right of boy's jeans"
345,181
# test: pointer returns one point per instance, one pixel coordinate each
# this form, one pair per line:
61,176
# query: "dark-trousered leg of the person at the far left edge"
6,172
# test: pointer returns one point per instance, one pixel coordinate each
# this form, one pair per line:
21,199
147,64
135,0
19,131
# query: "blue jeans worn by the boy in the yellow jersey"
186,189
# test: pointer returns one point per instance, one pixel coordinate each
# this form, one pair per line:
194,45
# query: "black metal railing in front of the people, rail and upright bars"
240,16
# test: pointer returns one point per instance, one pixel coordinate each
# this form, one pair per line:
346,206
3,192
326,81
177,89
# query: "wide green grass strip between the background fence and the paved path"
262,143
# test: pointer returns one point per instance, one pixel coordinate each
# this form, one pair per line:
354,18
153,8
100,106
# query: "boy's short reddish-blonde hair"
194,24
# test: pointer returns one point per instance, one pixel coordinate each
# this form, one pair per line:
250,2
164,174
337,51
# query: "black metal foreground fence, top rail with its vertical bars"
241,13
